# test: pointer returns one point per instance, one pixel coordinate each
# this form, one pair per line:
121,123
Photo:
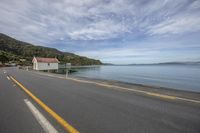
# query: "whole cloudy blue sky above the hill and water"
114,31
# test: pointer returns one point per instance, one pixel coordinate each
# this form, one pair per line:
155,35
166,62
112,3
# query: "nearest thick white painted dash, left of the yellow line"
46,125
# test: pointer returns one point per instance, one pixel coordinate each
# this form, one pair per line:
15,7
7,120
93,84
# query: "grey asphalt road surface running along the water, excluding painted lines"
91,108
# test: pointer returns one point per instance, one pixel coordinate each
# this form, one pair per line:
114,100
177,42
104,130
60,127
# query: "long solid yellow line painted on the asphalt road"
58,118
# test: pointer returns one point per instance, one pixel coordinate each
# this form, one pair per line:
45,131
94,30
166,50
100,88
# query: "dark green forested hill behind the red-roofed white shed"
16,51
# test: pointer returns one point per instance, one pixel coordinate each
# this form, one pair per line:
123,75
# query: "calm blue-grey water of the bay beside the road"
183,77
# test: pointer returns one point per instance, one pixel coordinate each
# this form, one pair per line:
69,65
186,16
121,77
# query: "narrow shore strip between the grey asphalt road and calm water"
140,87
